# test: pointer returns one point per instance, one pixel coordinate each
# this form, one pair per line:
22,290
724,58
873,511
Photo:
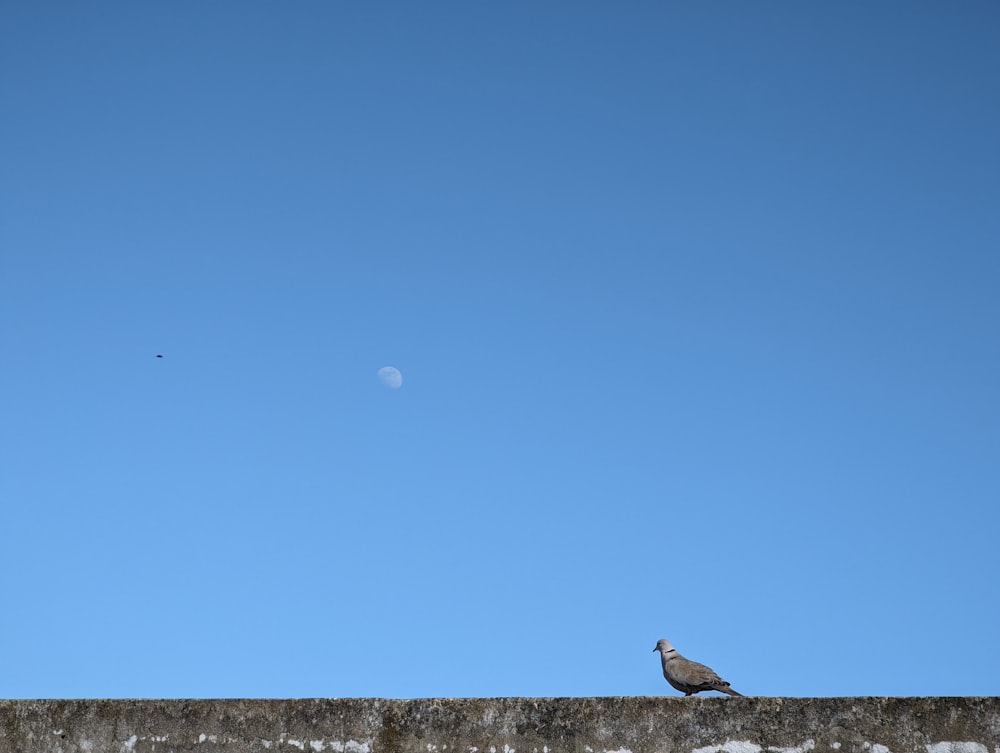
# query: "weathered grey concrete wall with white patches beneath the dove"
504,725
